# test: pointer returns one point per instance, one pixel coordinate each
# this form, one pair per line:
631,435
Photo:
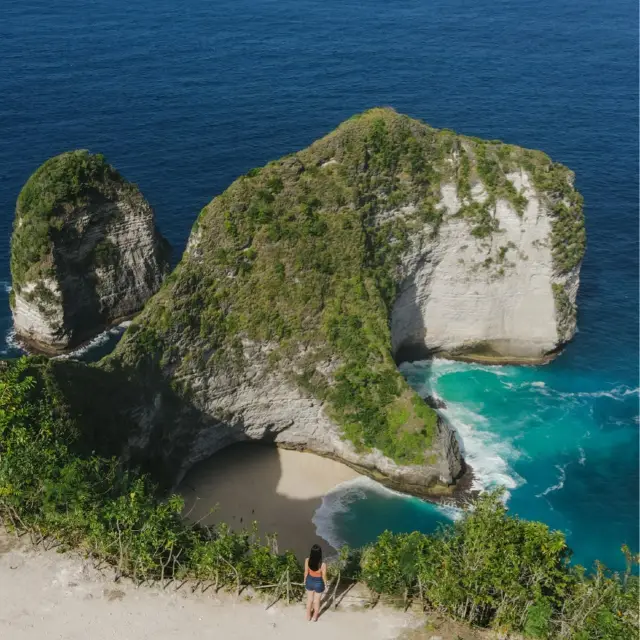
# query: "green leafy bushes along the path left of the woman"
48,487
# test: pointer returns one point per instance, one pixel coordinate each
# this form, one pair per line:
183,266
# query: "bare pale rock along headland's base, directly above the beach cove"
262,406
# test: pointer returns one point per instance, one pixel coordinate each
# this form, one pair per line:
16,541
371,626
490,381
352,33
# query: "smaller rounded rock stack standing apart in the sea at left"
85,252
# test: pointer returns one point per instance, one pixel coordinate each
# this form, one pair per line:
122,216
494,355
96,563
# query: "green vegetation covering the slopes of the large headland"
303,255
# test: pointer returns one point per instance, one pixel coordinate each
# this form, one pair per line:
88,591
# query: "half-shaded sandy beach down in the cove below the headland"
281,489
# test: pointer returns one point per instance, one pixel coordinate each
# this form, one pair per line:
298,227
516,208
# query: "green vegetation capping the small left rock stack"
53,191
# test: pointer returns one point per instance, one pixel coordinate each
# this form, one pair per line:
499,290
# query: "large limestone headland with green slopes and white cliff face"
303,282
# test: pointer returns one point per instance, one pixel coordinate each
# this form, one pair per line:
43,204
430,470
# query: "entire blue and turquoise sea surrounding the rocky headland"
184,96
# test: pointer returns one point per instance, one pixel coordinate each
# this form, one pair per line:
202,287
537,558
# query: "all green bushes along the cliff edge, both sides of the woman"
489,569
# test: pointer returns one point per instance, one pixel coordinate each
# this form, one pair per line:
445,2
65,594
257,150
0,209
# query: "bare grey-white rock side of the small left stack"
106,262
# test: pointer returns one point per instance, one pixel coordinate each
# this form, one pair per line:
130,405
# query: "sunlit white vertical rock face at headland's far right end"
494,295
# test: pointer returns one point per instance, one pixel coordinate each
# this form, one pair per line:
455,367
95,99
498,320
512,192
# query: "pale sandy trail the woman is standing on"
50,596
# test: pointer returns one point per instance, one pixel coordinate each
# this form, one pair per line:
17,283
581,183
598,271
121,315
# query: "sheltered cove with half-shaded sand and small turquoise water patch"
304,498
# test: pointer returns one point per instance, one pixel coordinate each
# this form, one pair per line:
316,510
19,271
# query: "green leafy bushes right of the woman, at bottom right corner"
494,570
